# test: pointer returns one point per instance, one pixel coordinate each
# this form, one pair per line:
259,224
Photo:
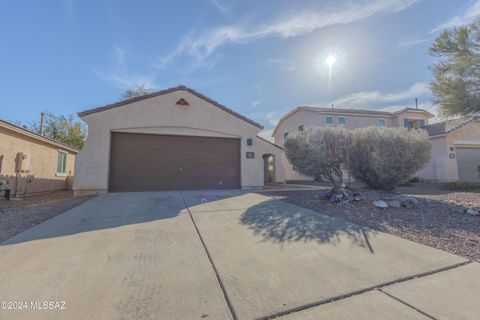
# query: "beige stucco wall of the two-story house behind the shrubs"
309,118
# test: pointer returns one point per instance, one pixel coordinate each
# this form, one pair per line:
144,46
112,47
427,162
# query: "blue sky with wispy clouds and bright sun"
259,58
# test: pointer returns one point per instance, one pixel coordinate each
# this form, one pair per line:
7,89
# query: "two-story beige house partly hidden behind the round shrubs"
303,117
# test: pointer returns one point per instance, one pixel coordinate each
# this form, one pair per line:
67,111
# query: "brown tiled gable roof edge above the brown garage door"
166,91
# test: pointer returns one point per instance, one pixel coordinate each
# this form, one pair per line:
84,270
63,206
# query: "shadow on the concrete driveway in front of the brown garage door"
118,209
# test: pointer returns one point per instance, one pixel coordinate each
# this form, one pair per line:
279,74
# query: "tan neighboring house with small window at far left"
32,163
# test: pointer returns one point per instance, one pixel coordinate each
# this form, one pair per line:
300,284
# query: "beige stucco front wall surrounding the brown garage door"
161,115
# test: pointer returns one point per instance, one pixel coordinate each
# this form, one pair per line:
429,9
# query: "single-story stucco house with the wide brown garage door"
174,139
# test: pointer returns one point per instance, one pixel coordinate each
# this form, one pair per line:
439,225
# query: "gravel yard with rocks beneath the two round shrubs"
439,219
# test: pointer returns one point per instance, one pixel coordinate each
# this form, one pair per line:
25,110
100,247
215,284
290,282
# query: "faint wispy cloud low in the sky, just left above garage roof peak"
120,77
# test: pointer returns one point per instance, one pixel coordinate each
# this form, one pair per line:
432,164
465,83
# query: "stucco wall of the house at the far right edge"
441,167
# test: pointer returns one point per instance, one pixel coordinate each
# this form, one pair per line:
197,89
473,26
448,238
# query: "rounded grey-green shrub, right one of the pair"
383,158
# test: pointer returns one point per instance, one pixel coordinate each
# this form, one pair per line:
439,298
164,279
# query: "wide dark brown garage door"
140,162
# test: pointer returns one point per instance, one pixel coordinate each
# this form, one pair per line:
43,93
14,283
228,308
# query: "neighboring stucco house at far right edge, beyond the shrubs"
455,150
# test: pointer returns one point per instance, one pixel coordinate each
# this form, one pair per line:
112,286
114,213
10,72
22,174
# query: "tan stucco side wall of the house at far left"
42,176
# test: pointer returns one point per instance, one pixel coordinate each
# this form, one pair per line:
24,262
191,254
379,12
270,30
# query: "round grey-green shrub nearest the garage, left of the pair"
320,152
